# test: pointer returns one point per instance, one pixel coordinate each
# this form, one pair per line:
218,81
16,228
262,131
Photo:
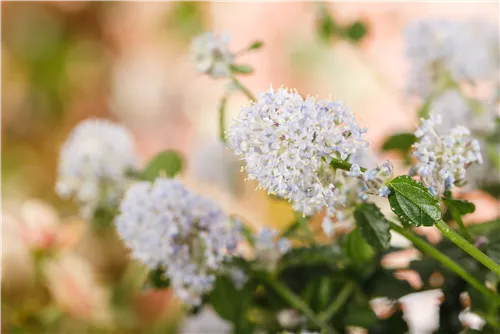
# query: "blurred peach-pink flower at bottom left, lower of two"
73,285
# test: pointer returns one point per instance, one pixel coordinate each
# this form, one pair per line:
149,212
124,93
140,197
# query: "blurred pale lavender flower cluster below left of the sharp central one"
166,225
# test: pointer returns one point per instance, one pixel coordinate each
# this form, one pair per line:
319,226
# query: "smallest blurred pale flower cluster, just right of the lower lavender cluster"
269,249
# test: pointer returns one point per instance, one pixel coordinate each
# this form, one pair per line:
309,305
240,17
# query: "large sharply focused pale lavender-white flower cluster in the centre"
287,143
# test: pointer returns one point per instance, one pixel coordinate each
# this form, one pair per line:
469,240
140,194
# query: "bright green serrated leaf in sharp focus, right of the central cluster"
412,202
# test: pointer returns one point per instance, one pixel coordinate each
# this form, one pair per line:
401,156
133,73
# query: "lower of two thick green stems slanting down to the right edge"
445,260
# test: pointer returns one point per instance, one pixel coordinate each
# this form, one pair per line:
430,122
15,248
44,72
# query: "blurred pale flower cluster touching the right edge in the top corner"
442,50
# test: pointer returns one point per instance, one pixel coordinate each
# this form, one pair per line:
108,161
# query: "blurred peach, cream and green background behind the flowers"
65,61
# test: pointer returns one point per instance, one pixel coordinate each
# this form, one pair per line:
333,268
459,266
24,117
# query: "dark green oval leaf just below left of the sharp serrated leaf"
373,226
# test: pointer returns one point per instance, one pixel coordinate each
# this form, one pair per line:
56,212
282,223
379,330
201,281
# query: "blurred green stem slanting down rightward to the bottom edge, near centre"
298,304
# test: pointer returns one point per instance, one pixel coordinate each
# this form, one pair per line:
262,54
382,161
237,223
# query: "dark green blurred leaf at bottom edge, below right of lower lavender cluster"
232,304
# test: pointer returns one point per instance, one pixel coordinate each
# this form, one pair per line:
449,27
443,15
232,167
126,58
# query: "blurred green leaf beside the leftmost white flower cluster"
168,163
